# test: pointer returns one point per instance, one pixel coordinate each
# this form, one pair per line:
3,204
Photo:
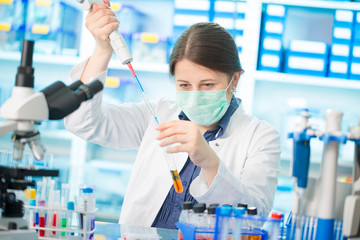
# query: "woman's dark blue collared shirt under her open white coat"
169,213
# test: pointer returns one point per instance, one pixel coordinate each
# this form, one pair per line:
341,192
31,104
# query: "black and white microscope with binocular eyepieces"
25,109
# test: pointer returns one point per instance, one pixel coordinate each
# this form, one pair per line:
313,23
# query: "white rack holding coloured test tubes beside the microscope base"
73,232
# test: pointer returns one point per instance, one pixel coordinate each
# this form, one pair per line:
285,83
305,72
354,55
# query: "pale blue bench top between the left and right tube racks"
113,231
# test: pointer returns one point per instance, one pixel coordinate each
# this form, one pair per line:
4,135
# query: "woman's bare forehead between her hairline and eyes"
190,71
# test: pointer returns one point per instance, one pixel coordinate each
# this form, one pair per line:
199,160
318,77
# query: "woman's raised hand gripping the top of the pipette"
101,21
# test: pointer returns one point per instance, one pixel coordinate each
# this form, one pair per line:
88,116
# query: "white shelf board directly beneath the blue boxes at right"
307,80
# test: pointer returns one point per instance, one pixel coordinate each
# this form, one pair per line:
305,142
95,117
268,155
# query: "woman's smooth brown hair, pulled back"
209,45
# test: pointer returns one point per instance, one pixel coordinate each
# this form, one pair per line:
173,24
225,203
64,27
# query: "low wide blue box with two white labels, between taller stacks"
307,57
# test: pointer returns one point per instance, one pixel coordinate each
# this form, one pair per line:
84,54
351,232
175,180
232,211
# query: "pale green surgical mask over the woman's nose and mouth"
203,107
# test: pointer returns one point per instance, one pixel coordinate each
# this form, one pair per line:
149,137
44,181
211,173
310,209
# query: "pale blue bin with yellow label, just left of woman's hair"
149,47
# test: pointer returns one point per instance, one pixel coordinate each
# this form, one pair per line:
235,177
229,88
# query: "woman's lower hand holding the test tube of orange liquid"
188,138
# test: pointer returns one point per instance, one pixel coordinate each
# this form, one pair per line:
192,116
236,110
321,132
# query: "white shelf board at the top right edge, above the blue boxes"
317,4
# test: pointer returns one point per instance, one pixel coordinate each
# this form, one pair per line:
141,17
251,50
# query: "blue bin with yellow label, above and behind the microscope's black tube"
54,26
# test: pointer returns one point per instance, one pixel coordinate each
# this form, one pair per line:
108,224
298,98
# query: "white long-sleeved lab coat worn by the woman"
249,153
